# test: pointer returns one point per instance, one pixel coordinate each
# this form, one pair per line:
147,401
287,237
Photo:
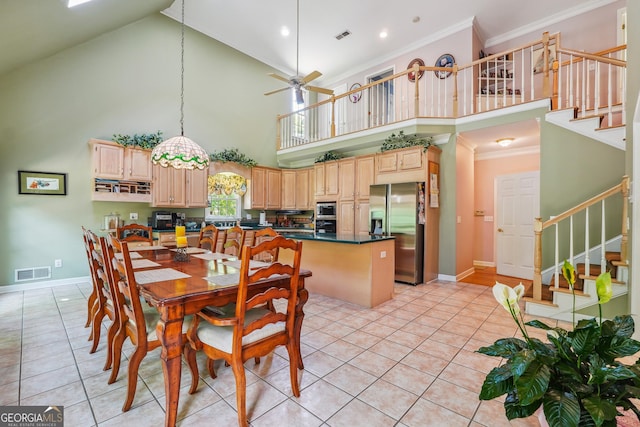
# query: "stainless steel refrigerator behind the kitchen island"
398,210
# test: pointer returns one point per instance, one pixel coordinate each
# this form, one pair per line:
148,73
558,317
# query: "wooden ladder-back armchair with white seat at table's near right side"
254,330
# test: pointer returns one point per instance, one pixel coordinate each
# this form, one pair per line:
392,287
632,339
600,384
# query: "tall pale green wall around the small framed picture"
126,81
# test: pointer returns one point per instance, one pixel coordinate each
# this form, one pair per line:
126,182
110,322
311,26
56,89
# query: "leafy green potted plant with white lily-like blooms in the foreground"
575,377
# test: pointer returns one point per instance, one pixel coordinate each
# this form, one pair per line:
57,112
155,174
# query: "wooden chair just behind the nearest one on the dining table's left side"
105,303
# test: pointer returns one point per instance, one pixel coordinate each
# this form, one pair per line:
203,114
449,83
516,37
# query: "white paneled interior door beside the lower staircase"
517,204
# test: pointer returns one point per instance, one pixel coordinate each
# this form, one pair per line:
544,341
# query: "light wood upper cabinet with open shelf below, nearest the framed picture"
120,173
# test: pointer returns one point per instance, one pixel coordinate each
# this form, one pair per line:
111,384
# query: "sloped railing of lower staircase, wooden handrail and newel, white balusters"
540,226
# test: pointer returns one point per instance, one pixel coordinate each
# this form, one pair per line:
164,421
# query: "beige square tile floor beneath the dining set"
408,362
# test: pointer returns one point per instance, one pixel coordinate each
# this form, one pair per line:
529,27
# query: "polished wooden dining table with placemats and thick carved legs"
178,289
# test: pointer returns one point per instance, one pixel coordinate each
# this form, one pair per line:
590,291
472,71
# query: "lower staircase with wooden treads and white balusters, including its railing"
554,299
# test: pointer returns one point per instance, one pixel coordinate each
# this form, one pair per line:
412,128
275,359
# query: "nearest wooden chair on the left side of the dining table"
139,320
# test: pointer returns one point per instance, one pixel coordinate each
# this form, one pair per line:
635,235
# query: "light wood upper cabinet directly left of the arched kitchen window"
179,188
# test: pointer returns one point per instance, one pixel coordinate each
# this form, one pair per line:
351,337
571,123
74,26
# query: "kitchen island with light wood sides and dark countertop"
354,268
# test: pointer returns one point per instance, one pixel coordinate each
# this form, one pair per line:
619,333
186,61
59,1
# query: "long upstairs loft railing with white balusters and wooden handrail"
592,83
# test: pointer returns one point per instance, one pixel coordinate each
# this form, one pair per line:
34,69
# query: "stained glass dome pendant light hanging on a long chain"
180,152
